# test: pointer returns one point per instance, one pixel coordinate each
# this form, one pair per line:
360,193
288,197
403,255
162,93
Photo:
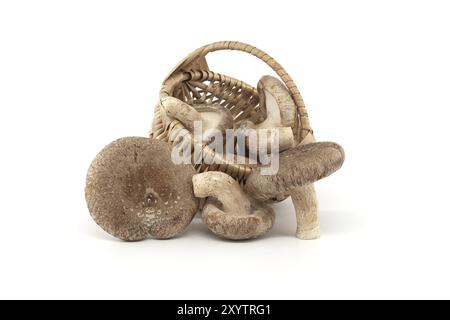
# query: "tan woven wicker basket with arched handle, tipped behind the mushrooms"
192,82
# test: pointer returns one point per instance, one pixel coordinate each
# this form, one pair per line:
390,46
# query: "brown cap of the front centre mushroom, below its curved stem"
235,225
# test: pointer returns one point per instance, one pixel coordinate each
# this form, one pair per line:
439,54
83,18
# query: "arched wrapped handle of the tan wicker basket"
197,58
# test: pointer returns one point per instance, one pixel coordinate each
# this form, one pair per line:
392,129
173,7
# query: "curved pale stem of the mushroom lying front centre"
224,188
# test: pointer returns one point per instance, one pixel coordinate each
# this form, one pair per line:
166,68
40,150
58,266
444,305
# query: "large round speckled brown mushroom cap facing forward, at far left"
134,191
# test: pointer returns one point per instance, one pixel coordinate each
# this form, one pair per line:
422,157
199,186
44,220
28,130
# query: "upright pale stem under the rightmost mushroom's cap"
305,204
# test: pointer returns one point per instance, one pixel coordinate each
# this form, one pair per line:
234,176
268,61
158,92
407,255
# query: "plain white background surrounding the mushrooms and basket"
75,75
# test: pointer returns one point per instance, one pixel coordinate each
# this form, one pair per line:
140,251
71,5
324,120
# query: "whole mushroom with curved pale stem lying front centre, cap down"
229,212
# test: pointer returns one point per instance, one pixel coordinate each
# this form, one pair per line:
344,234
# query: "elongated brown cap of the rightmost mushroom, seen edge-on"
299,166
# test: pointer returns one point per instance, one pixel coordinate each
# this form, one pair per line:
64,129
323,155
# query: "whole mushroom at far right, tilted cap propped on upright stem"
299,167
